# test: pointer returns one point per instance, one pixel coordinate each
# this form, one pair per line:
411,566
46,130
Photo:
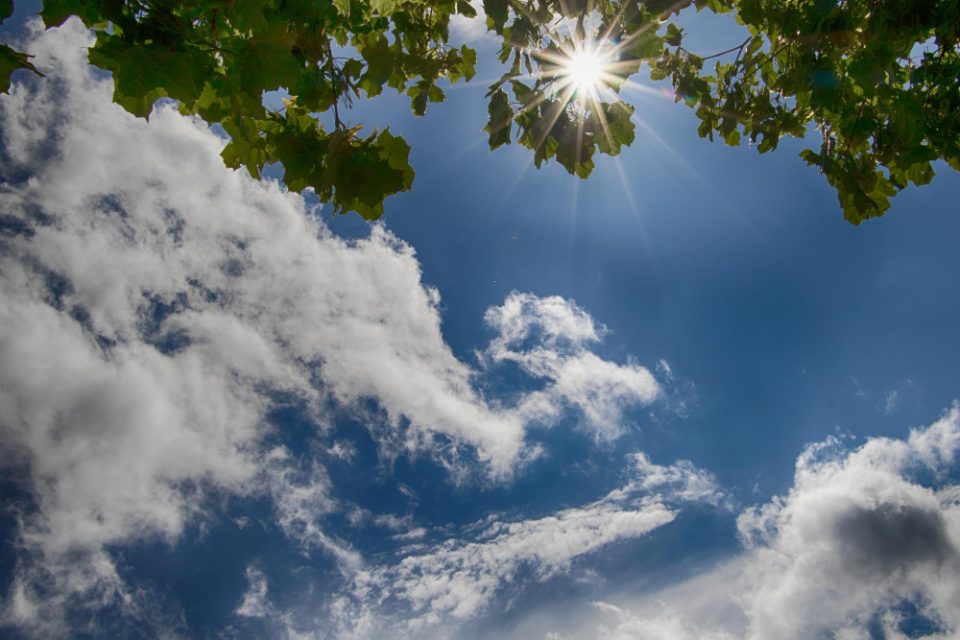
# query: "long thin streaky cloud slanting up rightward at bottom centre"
433,591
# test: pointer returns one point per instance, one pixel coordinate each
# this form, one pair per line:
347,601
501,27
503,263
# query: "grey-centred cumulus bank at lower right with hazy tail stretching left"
866,544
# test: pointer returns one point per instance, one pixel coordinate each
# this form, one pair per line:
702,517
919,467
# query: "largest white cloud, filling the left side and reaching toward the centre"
155,305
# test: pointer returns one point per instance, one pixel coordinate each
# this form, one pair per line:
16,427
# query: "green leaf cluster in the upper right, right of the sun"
878,79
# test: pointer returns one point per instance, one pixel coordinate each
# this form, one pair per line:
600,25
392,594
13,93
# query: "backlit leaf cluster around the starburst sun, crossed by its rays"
548,114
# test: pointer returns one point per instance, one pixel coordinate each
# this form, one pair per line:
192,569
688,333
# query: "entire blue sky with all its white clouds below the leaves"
680,399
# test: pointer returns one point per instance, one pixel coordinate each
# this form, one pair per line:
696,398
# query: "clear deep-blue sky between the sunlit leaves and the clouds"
734,267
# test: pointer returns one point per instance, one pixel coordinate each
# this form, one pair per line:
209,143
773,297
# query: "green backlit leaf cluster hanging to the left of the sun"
218,59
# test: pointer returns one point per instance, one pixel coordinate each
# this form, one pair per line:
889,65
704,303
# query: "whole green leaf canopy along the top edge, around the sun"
877,79
